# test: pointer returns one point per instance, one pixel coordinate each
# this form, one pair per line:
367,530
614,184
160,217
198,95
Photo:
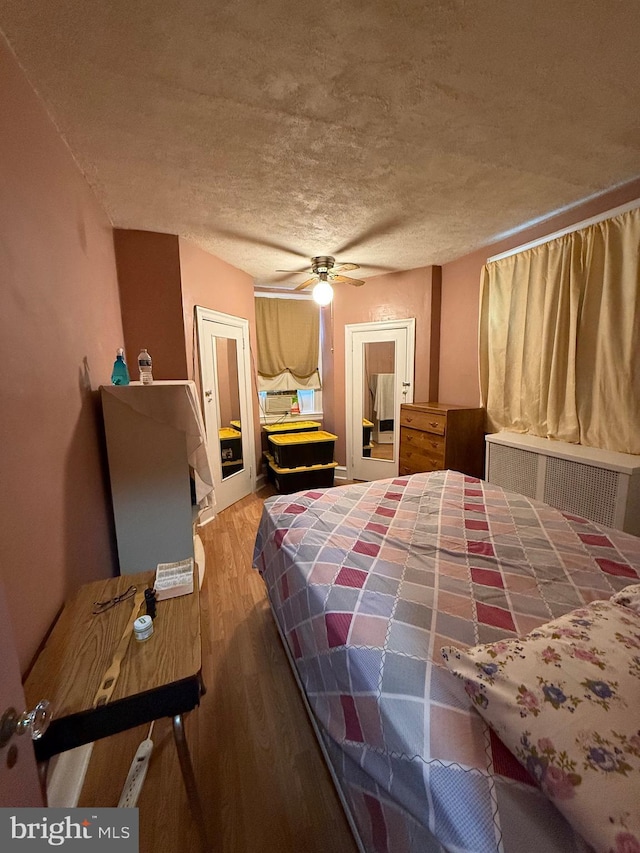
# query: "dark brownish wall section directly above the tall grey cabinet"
151,298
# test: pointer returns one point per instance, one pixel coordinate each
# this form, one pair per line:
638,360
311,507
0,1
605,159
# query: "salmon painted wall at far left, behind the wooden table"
59,329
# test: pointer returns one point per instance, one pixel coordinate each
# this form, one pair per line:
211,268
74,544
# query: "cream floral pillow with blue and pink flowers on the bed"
566,701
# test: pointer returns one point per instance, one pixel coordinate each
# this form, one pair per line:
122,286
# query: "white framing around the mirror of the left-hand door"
233,488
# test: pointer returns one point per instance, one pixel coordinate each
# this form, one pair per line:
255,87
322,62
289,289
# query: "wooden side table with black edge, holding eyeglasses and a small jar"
160,677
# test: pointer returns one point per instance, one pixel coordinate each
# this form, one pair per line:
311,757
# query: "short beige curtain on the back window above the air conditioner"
288,332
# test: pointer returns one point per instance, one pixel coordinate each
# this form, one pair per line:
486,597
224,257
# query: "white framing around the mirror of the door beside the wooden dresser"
403,391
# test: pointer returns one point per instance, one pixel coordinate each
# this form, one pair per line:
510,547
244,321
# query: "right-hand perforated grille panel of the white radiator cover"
582,489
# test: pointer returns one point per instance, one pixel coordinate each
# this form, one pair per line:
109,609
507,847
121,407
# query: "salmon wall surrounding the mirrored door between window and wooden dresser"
395,296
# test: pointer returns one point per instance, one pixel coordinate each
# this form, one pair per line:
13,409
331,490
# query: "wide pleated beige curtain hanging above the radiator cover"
559,338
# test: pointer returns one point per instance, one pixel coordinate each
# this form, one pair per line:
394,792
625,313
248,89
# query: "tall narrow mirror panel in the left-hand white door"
228,406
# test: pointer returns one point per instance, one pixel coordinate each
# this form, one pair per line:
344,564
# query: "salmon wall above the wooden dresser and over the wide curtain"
459,380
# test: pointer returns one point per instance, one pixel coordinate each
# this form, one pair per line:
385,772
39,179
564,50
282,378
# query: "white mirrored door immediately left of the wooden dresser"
379,361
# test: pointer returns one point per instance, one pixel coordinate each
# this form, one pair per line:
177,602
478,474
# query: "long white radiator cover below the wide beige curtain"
600,485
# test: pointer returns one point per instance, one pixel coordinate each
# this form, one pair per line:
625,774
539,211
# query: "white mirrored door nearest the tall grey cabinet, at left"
226,387
